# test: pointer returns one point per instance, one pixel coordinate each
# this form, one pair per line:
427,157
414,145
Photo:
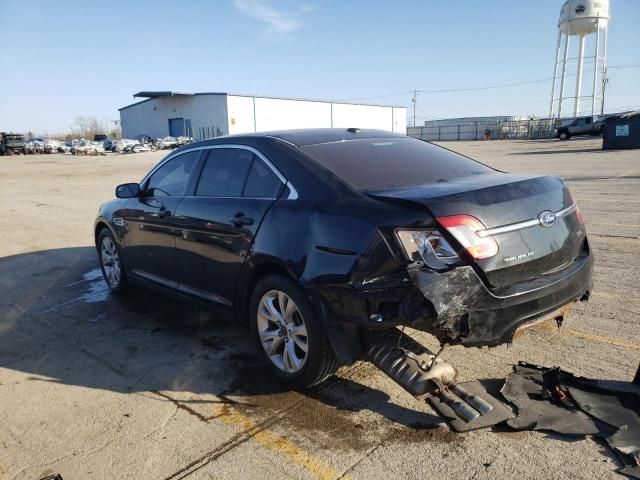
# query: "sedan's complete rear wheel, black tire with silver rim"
291,338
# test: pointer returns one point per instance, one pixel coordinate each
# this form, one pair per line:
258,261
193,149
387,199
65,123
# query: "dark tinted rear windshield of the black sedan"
381,164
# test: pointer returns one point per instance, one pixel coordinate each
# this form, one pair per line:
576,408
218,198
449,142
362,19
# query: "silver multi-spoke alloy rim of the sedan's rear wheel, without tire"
282,331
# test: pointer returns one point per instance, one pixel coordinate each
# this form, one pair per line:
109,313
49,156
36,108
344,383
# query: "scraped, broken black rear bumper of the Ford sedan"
470,314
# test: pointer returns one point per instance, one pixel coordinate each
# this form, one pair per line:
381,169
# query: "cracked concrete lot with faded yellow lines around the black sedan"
145,387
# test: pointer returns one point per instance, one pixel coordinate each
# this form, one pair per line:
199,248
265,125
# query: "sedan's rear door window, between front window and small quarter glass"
224,172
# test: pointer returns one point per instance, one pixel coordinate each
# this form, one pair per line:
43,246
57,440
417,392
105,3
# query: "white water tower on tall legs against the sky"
585,21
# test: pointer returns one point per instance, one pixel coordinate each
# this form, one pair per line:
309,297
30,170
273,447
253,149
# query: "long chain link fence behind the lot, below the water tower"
497,130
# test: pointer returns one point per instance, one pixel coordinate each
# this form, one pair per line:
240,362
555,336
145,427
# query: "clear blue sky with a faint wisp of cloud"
85,58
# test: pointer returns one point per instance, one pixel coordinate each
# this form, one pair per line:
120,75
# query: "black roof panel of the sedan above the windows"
308,136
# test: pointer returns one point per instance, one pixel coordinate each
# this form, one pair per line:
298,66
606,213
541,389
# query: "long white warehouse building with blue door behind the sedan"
206,115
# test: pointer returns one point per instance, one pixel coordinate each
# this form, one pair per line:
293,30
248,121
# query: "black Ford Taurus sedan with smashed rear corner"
315,237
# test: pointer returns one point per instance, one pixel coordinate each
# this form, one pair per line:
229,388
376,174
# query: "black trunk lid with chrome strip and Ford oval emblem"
498,200
